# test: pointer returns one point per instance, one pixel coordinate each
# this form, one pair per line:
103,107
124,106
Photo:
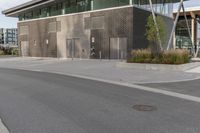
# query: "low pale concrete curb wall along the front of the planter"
158,67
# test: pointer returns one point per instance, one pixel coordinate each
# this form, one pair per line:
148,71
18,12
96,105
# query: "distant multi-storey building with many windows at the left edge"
8,36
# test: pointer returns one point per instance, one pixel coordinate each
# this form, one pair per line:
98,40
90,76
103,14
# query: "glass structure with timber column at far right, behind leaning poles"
186,38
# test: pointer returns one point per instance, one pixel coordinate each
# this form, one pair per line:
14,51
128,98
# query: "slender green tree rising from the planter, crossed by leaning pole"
151,32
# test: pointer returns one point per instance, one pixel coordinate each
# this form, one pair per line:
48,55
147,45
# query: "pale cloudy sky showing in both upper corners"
6,22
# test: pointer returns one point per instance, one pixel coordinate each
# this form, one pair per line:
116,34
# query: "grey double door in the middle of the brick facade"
73,48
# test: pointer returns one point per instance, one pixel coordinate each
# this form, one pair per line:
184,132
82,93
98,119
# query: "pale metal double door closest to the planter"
118,48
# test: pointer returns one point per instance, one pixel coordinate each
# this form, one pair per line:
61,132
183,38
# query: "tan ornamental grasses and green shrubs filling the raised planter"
178,56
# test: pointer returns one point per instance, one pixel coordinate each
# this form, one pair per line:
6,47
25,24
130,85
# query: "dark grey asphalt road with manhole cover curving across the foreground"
36,102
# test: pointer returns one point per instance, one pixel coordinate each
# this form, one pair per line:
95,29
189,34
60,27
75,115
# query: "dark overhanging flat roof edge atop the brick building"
13,12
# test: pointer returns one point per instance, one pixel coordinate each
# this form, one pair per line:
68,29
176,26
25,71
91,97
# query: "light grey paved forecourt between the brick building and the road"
104,69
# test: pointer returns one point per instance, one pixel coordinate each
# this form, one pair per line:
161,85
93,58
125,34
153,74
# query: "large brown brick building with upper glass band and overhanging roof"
107,29
